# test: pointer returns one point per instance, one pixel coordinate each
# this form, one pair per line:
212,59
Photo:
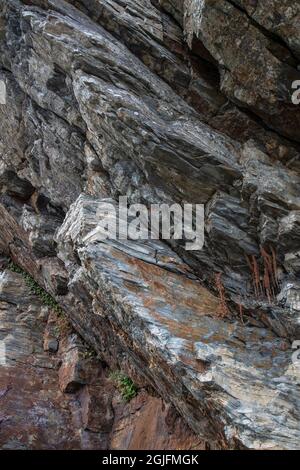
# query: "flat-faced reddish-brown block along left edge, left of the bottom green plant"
34,413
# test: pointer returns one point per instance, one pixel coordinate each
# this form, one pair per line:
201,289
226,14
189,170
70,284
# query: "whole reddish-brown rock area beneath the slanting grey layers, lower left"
35,414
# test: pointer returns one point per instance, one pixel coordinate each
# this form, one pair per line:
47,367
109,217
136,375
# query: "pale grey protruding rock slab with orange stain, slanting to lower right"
158,310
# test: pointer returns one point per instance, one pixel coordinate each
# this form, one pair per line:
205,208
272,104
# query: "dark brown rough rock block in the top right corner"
263,81
